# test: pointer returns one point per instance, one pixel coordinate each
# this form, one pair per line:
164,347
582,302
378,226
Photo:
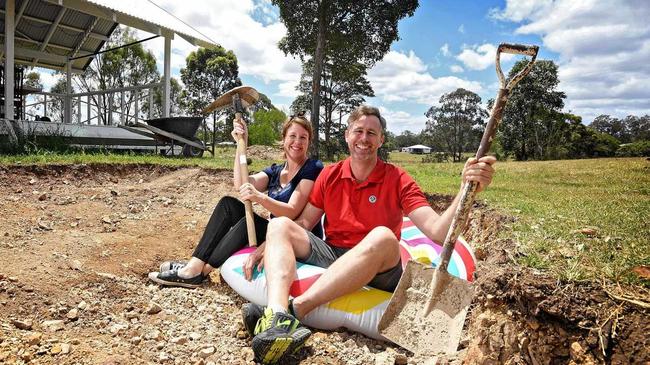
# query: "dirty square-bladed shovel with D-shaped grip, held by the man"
427,311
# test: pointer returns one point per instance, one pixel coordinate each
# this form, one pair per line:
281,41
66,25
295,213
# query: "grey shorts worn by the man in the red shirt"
323,255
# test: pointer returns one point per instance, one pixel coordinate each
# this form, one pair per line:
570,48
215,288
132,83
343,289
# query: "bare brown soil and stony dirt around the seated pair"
77,241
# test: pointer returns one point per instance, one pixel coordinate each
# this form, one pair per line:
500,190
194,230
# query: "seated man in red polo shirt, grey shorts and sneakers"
363,199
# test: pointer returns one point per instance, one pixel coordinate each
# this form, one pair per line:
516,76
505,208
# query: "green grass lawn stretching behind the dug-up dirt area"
552,200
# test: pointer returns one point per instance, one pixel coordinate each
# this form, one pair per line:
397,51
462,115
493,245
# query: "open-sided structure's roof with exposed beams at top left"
49,32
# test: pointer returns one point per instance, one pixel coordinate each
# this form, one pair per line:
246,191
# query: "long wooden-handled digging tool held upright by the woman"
239,98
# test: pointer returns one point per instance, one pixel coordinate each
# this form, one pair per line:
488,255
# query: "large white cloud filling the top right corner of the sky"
603,47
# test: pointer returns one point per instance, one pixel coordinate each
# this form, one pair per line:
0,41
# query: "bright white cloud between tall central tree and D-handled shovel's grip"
404,77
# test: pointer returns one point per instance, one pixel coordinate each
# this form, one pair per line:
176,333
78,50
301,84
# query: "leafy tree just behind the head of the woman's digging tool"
208,74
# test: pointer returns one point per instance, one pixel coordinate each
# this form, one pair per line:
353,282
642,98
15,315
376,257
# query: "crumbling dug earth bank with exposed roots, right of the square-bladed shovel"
521,316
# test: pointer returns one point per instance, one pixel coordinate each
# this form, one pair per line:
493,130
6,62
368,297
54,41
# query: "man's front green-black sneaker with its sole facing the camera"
277,335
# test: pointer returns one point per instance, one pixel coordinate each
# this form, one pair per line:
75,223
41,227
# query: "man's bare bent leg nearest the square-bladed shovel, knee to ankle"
377,252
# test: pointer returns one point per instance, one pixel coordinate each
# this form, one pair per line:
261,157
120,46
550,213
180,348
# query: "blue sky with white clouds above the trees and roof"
602,48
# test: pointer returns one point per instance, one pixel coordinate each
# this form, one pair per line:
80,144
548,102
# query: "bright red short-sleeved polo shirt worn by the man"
353,209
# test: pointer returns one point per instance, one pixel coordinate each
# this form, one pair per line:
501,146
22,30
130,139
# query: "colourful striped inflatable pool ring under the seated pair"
359,311
